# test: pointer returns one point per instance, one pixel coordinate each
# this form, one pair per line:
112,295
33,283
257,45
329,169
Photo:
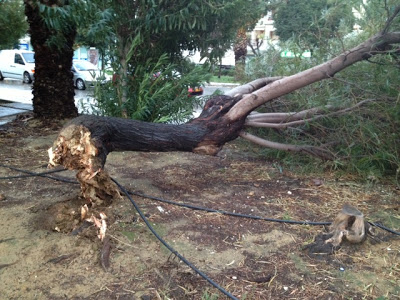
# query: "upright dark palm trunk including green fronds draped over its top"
52,36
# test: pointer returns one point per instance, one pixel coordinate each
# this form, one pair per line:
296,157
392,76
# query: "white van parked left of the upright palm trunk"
18,64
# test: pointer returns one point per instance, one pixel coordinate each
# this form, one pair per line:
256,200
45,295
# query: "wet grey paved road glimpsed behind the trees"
20,95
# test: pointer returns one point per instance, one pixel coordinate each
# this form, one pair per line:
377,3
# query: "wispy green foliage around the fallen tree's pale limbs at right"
365,140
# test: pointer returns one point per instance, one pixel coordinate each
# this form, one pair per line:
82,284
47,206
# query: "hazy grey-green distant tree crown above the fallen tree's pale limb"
313,21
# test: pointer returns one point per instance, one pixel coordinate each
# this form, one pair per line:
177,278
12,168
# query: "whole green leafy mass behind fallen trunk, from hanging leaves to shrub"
146,37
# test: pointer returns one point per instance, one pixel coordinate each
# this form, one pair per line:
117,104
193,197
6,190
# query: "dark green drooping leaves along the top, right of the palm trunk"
164,27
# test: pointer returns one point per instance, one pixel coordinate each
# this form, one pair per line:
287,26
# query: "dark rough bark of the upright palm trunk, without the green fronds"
53,90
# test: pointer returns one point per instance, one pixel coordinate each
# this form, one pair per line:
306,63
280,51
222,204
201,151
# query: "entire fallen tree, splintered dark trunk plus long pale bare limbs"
84,143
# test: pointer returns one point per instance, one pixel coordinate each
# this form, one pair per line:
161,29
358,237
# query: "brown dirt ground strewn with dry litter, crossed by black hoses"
47,253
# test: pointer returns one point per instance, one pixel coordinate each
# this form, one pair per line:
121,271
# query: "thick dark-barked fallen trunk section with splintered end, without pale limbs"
84,143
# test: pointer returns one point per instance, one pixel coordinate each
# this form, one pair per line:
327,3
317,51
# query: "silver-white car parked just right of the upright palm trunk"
87,74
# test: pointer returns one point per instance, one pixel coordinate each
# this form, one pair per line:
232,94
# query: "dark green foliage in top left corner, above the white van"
12,23
